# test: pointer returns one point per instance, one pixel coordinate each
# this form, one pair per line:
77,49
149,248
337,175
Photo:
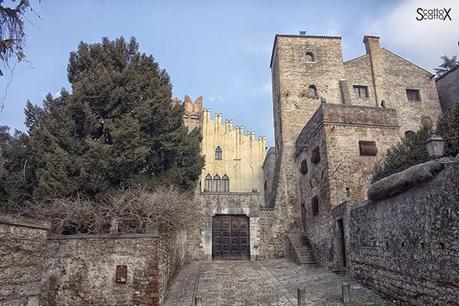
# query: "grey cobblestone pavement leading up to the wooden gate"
271,282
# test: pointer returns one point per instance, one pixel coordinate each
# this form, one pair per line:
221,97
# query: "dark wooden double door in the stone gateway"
230,237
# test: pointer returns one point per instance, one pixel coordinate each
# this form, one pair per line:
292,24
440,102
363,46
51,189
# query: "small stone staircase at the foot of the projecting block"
300,249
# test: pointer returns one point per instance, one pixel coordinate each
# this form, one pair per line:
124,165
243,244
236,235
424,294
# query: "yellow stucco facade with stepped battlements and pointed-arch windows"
233,160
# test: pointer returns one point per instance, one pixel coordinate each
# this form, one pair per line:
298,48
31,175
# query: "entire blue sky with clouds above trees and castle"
216,49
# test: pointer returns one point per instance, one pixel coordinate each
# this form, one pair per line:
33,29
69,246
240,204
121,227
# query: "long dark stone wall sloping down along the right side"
406,245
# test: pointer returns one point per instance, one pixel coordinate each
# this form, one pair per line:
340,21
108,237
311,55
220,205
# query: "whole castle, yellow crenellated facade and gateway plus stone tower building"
333,121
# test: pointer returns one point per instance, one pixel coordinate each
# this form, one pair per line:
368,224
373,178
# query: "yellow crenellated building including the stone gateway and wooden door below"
230,187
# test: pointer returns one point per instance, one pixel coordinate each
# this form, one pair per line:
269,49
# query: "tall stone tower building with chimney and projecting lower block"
333,122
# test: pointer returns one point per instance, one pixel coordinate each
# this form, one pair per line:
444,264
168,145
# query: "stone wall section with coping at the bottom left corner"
22,253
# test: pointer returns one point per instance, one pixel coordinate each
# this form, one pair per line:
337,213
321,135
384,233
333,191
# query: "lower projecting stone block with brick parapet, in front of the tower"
341,173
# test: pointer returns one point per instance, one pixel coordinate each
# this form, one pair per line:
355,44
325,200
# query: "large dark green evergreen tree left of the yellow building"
117,129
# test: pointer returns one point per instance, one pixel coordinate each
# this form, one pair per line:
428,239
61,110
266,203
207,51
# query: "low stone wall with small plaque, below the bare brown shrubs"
82,269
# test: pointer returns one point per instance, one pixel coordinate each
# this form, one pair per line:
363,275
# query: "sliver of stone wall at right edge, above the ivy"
448,90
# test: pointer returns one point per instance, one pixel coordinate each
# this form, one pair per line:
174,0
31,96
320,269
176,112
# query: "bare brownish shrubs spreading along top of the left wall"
133,210
